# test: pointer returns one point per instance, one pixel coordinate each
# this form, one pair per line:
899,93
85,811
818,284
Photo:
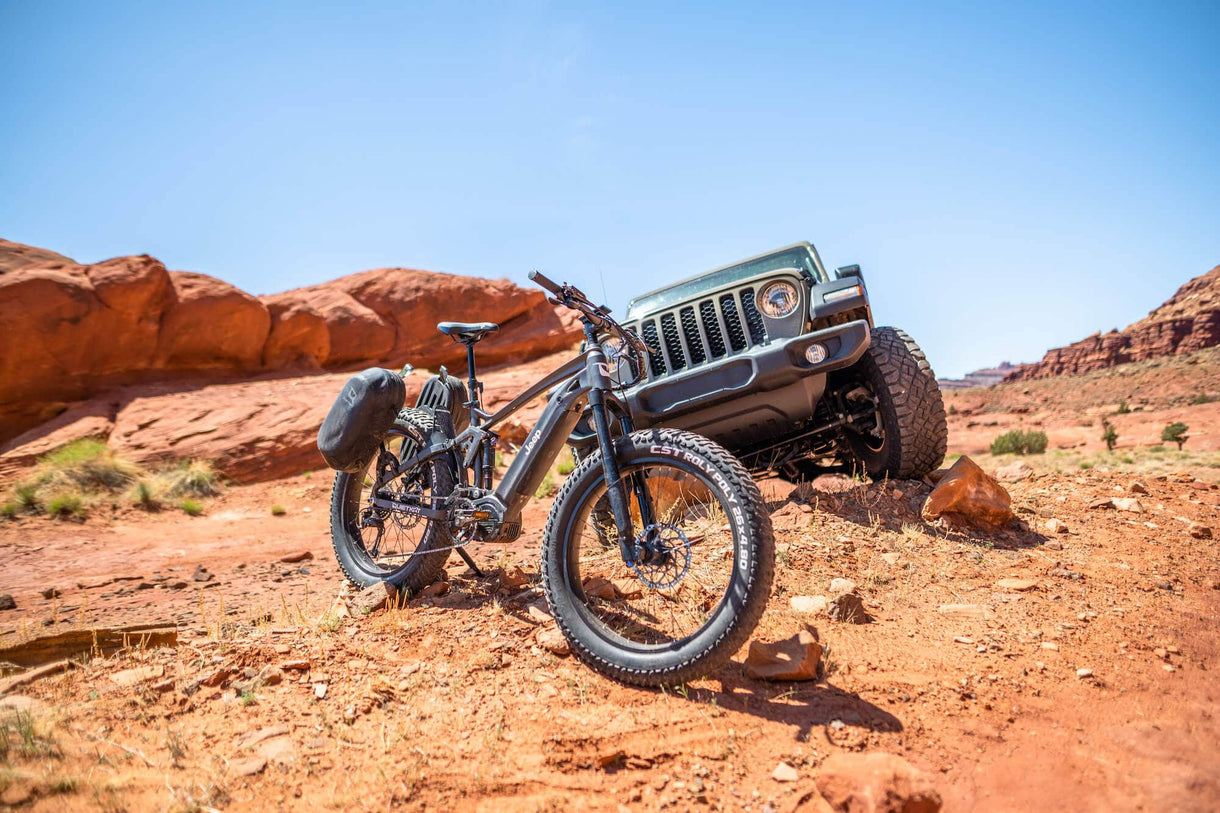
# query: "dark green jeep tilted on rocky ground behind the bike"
780,363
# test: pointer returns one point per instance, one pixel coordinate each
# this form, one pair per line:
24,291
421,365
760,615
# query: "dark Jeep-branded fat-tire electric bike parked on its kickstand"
658,555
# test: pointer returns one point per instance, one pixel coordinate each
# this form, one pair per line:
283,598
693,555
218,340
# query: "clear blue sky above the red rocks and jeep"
1011,176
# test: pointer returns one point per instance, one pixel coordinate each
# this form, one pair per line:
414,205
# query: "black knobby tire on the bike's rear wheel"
347,502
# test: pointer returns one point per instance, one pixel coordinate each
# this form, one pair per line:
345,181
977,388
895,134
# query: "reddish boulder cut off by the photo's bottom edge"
875,783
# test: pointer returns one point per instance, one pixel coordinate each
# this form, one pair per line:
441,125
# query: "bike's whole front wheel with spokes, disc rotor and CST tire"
706,561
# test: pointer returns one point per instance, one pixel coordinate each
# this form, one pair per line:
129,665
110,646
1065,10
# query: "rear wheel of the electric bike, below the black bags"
375,545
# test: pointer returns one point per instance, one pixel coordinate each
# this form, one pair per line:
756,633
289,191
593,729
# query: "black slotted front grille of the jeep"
696,334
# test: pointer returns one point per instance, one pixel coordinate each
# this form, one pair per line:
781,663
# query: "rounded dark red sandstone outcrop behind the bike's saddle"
74,331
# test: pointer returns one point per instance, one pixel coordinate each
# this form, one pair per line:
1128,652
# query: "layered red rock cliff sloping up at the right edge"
1189,322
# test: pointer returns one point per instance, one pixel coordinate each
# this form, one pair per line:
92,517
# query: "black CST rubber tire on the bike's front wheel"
729,627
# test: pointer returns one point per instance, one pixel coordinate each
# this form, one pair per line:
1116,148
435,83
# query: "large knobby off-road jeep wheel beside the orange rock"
910,435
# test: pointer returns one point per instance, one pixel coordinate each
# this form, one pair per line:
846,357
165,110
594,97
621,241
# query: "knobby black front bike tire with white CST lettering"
758,526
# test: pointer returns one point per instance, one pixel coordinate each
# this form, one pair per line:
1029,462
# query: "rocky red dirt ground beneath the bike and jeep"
448,704
